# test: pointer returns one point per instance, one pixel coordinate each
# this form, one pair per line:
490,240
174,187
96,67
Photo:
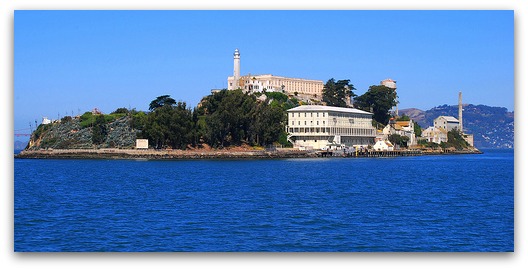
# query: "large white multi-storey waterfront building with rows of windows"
315,126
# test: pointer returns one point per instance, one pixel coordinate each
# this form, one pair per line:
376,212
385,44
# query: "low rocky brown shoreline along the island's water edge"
114,153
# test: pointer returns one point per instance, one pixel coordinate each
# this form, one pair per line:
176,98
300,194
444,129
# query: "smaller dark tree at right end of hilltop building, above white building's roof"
337,93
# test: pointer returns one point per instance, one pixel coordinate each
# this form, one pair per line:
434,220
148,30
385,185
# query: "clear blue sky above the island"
73,61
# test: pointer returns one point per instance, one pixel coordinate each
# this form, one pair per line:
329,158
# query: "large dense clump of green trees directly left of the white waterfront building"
233,117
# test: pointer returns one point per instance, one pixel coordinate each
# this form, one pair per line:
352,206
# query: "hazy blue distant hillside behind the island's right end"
492,127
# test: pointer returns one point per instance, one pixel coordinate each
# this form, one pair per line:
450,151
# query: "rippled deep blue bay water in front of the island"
426,203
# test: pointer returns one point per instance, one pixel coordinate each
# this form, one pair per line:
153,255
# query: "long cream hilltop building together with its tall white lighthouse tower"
271,83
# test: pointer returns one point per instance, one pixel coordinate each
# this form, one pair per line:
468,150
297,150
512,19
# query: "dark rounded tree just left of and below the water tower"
378,99
